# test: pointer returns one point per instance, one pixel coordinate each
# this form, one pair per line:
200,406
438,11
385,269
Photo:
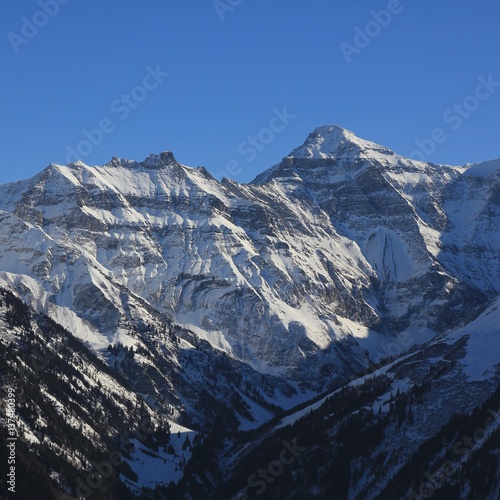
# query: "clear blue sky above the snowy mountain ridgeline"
226,76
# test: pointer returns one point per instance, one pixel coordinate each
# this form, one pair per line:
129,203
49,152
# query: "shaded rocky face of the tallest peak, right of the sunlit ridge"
391,208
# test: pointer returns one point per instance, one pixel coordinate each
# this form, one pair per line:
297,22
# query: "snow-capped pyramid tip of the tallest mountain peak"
332,141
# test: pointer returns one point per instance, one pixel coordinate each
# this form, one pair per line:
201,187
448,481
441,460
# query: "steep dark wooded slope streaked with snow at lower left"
70,411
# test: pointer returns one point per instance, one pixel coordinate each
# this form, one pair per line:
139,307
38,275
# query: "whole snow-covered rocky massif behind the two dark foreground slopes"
245,299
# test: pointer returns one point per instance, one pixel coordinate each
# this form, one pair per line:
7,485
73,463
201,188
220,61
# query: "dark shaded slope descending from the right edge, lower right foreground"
425,425
